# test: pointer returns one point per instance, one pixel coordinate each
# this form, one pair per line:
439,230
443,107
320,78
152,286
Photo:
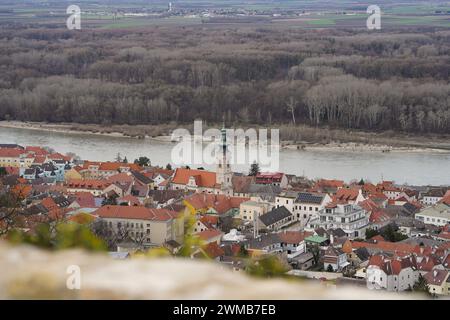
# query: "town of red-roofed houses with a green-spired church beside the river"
380,236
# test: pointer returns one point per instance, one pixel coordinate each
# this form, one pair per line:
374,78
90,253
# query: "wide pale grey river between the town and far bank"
414,168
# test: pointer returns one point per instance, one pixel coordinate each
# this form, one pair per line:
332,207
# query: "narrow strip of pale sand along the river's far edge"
349,146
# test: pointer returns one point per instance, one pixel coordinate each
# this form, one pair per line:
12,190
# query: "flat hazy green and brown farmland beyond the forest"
343,14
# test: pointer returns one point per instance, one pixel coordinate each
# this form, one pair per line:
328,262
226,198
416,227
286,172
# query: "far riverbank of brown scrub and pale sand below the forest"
317,139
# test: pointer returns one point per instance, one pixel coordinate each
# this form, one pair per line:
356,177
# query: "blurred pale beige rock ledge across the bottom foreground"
30,273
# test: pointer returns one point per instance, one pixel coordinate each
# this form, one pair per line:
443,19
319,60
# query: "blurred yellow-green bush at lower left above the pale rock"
59,236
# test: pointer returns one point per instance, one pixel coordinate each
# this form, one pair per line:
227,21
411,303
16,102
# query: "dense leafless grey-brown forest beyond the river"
252,75
